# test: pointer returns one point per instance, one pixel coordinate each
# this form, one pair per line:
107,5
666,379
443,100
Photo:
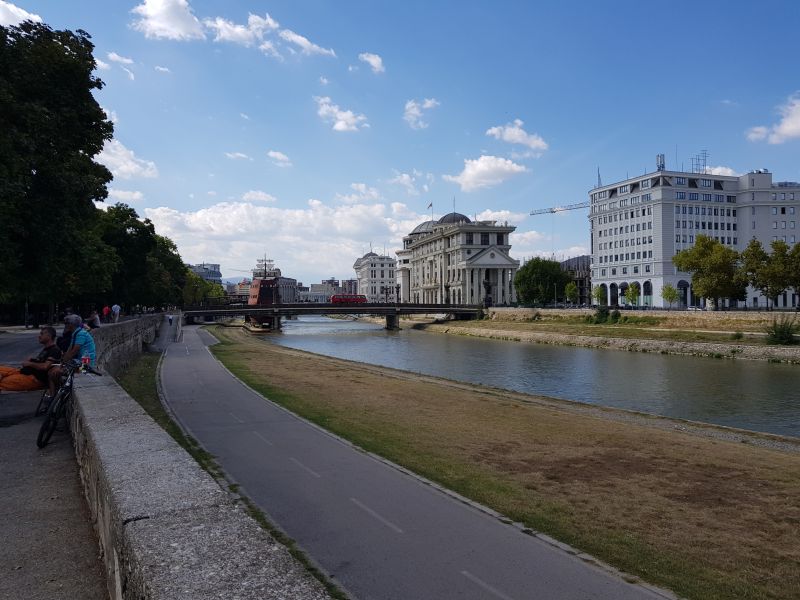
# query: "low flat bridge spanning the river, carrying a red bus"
270,314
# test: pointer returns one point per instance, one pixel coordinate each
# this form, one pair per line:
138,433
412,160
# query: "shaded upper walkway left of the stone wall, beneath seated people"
48,549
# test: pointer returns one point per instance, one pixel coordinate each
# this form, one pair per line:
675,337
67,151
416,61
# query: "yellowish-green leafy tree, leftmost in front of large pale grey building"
714,268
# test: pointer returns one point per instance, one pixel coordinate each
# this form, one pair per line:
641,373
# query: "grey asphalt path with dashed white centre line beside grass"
376,531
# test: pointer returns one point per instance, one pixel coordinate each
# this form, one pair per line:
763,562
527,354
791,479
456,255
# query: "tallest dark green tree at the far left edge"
51,128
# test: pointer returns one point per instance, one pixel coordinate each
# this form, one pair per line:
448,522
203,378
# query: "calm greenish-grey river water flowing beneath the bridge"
752,395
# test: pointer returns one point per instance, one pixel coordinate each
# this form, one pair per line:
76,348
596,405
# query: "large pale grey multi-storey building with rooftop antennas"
639,224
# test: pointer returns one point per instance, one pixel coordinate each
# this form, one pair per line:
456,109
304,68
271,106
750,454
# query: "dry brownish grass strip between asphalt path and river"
707,518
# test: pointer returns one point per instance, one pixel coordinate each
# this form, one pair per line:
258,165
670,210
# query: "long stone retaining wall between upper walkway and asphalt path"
166,528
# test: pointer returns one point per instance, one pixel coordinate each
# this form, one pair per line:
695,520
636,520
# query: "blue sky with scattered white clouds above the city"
309,131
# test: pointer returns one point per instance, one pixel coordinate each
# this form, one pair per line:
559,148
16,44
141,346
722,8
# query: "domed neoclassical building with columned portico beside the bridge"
459,261
